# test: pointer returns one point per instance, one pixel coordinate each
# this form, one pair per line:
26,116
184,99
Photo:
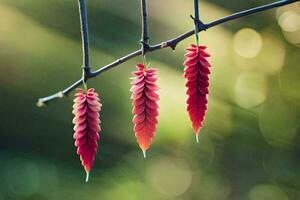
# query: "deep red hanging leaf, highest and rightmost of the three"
196,72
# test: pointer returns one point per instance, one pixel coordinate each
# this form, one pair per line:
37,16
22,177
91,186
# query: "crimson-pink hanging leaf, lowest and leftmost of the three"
86,109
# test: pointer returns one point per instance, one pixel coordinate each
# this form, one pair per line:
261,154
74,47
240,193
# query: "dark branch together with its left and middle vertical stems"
172,43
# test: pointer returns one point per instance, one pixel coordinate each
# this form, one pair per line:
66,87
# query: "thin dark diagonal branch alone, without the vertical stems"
169,43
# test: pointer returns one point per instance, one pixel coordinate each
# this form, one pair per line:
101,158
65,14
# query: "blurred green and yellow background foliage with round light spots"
249,145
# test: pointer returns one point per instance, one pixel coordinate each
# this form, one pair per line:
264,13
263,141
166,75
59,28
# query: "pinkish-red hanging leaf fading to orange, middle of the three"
145,105
